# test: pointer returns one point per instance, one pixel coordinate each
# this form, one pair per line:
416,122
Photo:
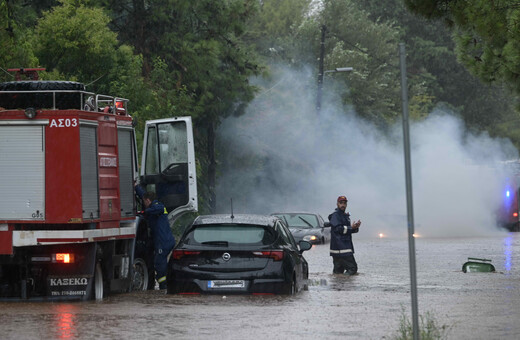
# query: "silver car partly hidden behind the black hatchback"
306,226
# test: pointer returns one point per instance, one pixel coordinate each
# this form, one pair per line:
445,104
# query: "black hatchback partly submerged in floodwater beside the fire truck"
226,254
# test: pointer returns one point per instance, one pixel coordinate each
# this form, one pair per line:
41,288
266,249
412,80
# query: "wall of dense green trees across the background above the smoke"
197,58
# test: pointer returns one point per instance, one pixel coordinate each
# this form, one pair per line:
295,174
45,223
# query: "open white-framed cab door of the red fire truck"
168,164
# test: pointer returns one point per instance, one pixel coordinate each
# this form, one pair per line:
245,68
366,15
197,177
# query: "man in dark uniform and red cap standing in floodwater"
341,246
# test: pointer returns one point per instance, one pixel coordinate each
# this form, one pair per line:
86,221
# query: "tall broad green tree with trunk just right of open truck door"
203,63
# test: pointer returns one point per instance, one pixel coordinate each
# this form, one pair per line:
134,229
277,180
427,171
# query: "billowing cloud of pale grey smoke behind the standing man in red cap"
281,156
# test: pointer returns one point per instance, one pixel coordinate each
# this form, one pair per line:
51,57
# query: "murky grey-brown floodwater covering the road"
365,306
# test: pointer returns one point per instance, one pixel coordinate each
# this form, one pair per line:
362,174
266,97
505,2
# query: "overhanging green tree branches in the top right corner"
486,35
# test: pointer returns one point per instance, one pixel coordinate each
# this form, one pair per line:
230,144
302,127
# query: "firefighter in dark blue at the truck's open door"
163,240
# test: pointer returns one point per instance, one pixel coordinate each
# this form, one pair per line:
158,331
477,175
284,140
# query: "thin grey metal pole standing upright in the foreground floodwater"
409,199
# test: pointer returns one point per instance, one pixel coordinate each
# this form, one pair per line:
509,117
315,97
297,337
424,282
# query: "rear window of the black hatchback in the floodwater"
230,234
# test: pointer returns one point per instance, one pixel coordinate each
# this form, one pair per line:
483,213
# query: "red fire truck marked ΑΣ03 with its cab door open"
69,221
